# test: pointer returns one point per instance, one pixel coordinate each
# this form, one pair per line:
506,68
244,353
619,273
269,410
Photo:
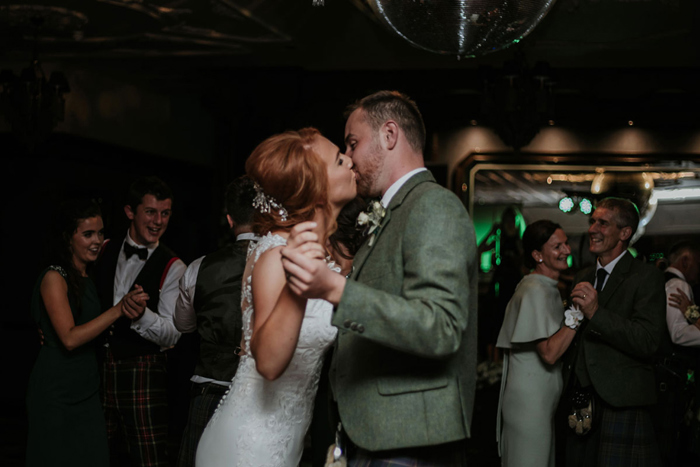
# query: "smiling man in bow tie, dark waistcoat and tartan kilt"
134,373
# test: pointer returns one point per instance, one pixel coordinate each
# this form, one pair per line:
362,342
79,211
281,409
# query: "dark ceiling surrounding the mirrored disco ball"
343,34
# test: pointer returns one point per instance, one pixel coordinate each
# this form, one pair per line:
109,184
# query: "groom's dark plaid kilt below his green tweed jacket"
452,454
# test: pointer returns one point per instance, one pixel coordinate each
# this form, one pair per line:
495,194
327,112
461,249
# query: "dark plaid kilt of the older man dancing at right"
627,438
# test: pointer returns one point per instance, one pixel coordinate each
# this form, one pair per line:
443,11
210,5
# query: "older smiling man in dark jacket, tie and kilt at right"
624,303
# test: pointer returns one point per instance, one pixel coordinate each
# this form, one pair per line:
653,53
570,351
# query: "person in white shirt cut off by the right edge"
677,358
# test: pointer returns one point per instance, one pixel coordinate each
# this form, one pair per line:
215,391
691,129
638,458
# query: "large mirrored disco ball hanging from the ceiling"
461,27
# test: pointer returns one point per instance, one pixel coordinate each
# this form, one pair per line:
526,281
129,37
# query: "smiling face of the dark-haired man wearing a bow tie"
149,220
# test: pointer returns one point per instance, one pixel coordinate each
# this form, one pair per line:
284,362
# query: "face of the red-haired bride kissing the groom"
342,186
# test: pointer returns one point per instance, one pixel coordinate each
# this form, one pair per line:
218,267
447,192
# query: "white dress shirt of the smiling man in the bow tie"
155,327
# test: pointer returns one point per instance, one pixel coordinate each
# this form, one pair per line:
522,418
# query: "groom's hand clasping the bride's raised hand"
310,277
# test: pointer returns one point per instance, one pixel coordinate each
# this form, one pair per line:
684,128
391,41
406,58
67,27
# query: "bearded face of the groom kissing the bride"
362,146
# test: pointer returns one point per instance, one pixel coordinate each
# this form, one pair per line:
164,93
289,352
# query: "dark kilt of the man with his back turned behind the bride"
205,399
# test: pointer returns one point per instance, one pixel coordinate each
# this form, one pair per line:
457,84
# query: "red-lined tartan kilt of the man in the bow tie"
135,402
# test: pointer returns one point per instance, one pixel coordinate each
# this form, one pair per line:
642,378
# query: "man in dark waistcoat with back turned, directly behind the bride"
210,304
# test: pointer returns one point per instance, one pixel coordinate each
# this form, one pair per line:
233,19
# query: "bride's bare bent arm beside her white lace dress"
277,319
